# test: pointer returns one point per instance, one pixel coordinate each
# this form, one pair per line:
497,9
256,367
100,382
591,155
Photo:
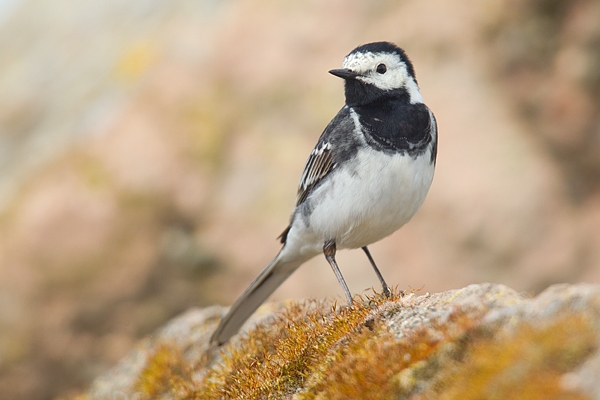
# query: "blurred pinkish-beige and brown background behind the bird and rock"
150,153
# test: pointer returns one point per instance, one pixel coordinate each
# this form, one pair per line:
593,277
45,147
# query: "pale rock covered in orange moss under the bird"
482,341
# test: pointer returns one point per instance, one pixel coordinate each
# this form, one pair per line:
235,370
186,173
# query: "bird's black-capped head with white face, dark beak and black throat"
378,70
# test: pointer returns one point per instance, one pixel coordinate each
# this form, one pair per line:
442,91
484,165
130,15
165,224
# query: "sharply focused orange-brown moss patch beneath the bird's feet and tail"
275,359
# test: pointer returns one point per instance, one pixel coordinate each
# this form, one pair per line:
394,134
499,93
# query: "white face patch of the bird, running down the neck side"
395,77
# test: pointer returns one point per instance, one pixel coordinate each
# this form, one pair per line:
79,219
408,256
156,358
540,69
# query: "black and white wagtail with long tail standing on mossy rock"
366,177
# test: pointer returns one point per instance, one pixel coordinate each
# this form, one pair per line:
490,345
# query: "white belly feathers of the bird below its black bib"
371,199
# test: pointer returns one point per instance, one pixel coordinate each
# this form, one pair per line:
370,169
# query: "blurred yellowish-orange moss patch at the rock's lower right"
527,363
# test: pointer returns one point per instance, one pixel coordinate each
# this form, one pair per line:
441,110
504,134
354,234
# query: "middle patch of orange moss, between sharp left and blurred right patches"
369,366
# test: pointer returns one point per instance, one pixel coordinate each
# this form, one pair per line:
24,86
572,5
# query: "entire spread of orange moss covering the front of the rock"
348,352
